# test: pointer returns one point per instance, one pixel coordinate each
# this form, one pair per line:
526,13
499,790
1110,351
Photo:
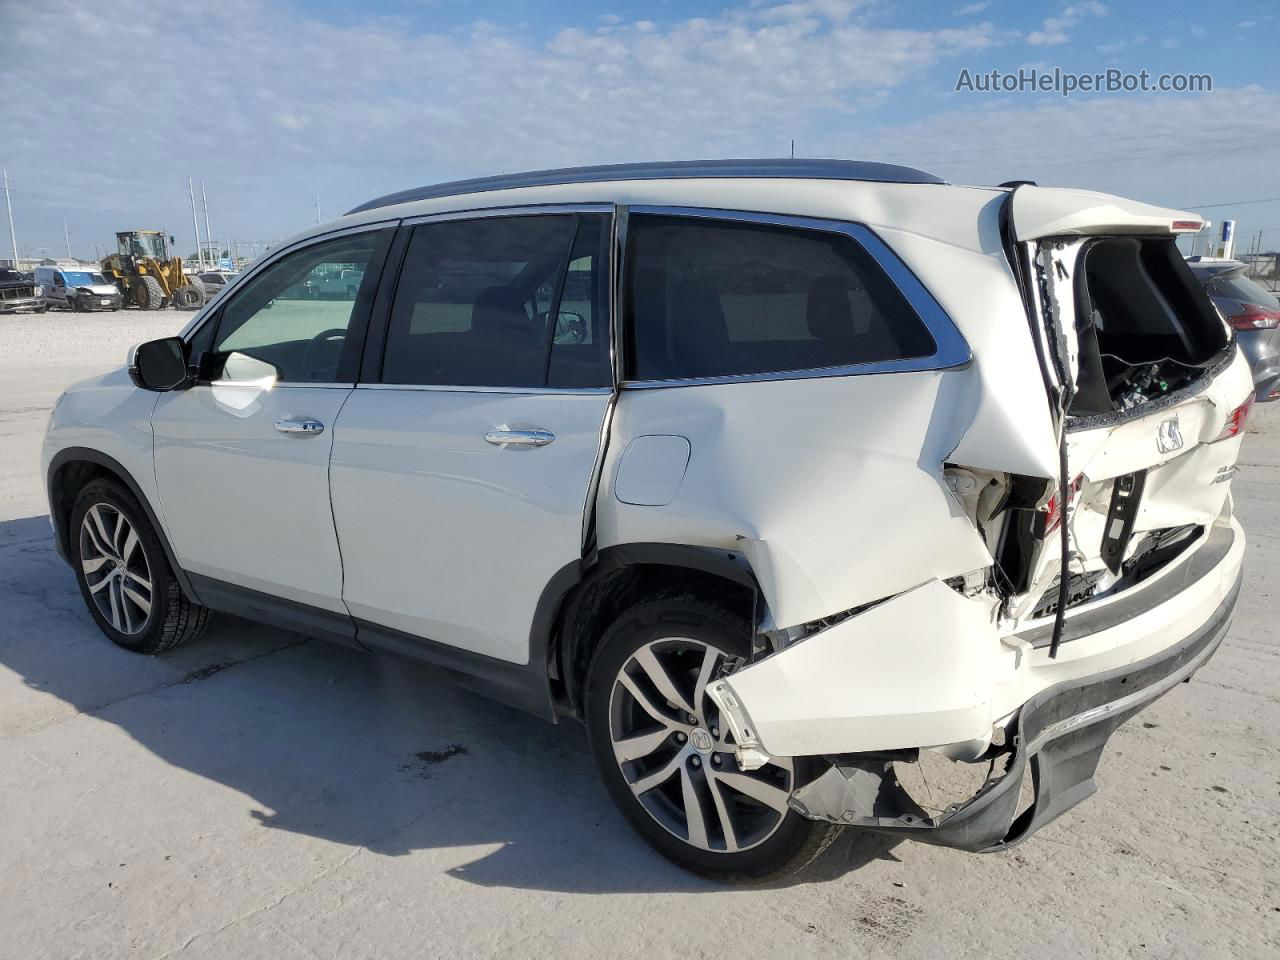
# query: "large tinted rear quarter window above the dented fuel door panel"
714,298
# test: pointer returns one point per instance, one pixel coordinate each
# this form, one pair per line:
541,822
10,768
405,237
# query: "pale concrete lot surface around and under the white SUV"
262,796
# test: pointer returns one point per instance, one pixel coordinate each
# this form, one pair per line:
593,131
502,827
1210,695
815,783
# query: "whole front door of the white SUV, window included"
243,459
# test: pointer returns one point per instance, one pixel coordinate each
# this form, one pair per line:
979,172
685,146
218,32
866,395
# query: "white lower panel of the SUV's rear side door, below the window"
446,536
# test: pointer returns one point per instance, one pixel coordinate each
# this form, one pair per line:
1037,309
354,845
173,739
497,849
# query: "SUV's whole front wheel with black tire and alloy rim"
124,574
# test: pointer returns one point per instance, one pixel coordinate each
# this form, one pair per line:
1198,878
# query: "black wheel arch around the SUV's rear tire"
584,598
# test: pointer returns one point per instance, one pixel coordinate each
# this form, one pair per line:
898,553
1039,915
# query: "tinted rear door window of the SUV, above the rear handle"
504,301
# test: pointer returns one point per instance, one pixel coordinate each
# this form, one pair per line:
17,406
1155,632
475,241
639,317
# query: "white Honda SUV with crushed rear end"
767,472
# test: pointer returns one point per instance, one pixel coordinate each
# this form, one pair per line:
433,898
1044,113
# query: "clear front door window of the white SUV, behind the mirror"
300,321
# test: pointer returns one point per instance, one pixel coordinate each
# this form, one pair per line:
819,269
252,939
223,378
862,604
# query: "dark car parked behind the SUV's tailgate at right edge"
1255,314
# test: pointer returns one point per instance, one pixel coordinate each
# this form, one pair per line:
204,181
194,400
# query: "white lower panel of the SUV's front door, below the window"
244,502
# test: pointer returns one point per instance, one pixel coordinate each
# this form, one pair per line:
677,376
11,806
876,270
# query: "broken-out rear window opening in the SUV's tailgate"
1145,327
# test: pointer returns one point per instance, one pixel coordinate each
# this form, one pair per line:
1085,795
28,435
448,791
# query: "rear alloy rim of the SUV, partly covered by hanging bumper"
679,760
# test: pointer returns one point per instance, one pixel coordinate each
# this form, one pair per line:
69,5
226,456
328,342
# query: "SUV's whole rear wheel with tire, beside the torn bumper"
666,760
